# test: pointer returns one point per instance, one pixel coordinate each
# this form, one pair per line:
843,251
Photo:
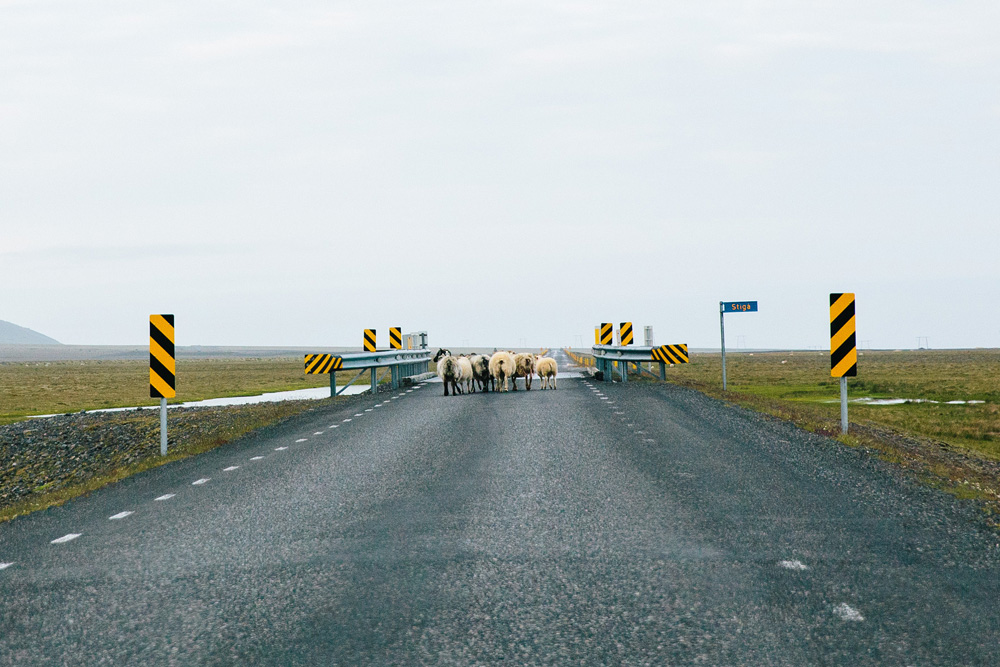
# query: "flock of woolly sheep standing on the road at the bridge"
491,372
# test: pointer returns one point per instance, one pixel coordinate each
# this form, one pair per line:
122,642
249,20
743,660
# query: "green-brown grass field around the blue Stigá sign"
799,384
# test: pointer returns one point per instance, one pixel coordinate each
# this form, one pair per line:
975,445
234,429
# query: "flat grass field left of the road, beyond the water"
33,388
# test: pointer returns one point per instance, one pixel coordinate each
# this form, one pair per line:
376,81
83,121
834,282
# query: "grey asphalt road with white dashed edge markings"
595,524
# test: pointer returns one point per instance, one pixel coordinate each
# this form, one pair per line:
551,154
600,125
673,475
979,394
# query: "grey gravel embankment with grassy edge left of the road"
41,456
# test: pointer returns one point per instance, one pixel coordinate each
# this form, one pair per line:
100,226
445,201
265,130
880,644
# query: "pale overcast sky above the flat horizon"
500,173
